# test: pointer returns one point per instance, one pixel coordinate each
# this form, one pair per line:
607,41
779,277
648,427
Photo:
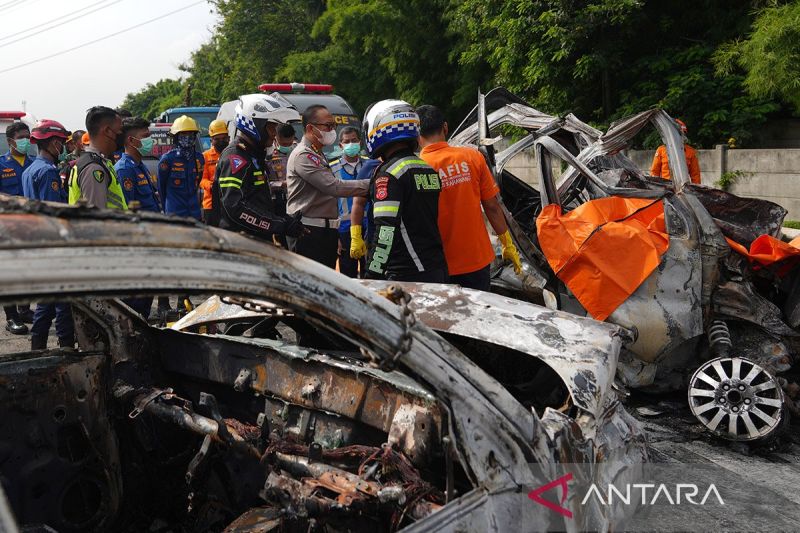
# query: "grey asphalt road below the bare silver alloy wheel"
758,482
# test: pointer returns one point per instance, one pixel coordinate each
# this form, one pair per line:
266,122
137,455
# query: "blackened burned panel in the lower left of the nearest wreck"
58,455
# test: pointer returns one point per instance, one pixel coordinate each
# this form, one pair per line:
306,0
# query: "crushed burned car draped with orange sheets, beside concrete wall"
707,314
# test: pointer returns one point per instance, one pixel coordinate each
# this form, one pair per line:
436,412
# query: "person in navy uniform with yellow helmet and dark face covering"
180,169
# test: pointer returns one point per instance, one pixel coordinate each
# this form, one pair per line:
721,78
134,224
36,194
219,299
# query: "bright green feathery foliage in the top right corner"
770,55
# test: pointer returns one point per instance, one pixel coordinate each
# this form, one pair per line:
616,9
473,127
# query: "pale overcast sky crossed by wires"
64,87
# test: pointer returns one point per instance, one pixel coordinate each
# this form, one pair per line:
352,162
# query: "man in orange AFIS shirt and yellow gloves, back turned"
468,191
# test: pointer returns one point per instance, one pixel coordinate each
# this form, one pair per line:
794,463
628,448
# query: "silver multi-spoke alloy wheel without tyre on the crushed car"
736,399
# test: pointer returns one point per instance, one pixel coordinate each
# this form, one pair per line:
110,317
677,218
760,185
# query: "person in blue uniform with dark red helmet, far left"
41,181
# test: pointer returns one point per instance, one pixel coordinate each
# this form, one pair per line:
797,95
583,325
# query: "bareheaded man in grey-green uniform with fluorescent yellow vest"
93,177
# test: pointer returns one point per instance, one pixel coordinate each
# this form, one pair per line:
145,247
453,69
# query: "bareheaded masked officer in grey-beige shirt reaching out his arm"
313,188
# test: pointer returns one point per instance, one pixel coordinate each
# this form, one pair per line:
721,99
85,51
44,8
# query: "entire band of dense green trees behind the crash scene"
723,66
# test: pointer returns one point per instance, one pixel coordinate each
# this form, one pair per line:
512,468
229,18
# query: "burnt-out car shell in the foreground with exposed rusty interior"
334,406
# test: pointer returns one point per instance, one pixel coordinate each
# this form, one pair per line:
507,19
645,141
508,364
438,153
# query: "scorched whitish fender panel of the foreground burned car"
583,352
